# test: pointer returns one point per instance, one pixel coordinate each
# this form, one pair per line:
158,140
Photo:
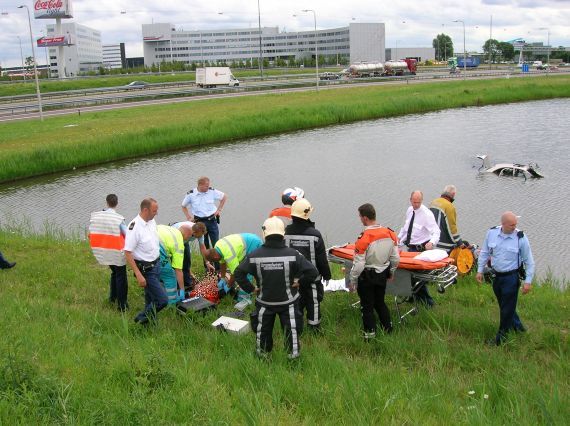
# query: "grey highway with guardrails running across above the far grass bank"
79,101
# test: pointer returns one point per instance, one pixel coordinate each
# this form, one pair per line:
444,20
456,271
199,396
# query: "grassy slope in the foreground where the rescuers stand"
67,356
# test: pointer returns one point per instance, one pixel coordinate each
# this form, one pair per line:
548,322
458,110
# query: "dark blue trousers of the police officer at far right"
506,289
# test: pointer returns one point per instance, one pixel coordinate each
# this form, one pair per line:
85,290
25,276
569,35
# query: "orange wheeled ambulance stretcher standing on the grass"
412,274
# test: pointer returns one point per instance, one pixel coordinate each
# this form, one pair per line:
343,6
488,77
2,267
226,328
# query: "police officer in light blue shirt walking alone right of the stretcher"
508,249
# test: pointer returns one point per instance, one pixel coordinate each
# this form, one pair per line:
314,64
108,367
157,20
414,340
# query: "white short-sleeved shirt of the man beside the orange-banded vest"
142,239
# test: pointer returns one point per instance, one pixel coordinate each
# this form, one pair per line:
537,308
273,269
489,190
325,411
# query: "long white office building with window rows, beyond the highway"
356,42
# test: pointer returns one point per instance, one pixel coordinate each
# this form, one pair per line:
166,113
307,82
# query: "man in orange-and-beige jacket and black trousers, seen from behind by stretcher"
376,258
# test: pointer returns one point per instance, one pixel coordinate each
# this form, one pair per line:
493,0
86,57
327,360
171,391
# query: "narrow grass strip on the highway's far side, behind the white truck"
55,85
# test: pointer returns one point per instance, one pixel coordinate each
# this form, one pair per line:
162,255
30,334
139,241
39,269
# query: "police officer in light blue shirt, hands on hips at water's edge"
202,203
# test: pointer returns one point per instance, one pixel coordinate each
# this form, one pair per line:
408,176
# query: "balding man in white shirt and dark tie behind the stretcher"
419,233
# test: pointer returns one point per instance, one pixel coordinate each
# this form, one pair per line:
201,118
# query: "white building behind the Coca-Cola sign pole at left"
84,54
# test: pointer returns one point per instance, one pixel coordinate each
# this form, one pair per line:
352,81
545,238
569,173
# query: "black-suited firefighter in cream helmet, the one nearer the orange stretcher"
302,236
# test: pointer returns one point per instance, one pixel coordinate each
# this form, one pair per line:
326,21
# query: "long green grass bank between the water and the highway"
32,148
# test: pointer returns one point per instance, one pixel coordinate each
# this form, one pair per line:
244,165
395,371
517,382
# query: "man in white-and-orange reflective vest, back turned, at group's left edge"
107,238
